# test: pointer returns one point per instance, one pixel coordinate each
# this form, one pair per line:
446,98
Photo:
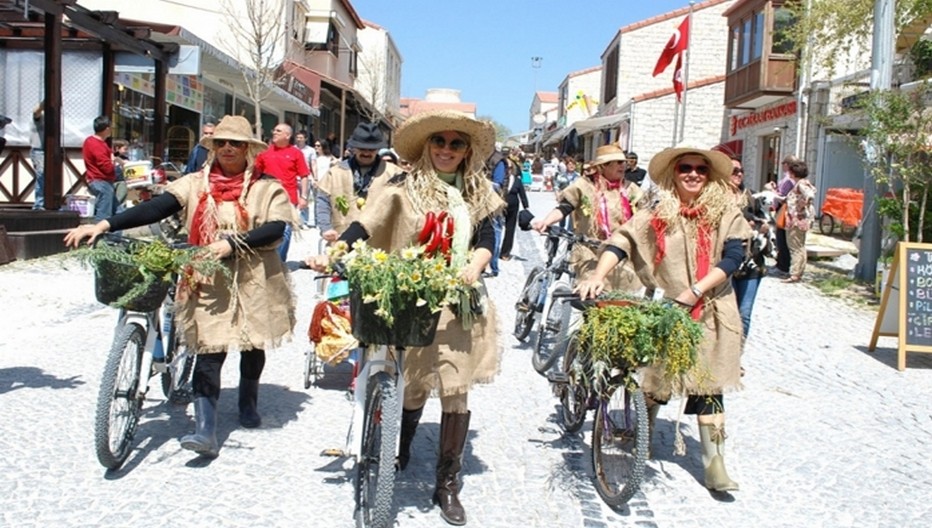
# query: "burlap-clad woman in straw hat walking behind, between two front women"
599,202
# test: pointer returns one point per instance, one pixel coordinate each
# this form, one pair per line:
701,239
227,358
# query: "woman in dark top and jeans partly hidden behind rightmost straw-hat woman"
746,279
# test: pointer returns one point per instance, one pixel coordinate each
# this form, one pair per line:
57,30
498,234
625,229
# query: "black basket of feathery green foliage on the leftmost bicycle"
129,271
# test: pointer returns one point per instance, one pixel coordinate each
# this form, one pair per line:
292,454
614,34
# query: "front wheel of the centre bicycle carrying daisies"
375,471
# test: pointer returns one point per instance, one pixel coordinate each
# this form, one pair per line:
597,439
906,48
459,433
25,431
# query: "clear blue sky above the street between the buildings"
484,47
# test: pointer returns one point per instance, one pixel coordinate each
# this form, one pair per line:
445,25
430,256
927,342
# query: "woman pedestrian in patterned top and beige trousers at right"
800,214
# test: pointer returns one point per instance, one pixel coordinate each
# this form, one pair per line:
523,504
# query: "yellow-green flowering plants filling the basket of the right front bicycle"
638,332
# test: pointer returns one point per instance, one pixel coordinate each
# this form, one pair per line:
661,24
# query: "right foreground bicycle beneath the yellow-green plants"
620,430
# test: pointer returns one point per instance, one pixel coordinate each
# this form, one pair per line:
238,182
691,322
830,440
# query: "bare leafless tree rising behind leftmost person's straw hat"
256,33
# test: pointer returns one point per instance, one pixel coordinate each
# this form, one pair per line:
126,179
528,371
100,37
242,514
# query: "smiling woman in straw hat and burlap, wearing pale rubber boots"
688,245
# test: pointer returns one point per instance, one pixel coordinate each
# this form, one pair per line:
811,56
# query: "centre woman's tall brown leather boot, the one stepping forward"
453,429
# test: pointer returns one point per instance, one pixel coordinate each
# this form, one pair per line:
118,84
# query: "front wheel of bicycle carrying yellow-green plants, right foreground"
619,445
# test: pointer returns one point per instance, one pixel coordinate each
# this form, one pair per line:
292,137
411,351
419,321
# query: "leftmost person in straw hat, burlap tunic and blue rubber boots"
239,216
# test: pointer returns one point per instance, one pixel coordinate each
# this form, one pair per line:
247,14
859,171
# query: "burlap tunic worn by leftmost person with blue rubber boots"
258,310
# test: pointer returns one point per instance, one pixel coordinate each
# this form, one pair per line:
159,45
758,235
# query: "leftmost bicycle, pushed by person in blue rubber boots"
139,352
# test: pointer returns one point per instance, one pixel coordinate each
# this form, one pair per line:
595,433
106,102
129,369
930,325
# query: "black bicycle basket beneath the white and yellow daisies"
414,326
